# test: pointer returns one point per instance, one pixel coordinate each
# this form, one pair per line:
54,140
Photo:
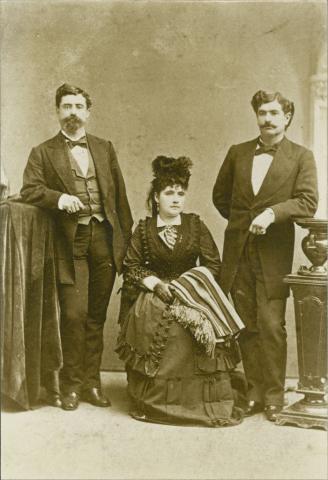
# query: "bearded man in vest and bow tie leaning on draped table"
76,176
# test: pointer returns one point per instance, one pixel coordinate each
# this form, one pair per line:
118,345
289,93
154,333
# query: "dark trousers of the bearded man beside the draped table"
84,306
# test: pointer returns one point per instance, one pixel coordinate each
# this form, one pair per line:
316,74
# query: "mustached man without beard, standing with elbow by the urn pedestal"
261,186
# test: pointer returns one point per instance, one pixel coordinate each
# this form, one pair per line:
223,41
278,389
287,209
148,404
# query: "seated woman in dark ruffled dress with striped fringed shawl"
176,374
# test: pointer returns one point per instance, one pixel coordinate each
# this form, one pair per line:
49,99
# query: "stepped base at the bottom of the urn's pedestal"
305,415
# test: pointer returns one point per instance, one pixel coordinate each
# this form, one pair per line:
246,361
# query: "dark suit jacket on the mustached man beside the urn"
289,188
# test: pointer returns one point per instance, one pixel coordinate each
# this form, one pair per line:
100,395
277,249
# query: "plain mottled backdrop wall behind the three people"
172,78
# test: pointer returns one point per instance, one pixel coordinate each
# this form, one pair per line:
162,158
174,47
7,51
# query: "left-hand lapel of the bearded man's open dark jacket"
59,159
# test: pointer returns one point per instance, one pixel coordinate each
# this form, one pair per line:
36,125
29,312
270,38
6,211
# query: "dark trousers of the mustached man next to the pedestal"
263,342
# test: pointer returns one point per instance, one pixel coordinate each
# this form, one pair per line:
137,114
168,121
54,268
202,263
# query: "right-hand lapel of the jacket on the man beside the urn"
282,164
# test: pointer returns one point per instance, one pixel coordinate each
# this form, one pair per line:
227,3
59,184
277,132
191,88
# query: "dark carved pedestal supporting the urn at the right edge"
310,303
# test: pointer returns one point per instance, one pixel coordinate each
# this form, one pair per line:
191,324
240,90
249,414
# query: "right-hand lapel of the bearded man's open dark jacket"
99,152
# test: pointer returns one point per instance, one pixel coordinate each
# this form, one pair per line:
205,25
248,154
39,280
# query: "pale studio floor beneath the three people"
94,443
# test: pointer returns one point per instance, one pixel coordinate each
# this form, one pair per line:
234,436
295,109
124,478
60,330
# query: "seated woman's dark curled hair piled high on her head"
168,171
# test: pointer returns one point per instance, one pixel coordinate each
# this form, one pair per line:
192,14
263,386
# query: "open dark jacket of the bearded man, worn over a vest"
48,175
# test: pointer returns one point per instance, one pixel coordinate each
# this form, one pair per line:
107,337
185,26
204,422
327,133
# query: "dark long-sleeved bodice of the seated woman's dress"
149,255
